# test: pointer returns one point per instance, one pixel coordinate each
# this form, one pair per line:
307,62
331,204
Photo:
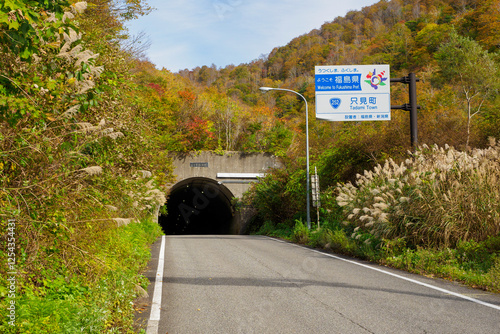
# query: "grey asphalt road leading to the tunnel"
254,284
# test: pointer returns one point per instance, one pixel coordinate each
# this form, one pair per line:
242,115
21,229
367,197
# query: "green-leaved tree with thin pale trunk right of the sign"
464,64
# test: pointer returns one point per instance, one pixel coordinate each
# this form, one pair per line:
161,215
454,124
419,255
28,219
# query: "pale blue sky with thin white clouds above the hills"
185,34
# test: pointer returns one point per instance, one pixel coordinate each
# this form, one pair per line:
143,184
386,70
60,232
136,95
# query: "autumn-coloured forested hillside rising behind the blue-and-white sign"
459,107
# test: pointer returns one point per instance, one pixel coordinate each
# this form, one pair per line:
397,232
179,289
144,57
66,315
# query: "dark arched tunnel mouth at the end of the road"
199,206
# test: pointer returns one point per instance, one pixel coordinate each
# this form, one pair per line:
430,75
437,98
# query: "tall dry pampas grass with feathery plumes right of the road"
436,198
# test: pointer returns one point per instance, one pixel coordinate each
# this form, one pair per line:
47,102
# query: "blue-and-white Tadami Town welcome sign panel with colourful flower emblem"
353,93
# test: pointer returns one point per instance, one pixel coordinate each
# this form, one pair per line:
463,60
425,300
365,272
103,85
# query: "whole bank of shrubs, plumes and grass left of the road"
77,171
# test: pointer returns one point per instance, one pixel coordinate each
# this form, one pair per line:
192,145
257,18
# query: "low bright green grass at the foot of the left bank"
69,303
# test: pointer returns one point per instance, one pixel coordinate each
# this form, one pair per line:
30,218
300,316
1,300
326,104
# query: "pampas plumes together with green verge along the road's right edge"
435,214
